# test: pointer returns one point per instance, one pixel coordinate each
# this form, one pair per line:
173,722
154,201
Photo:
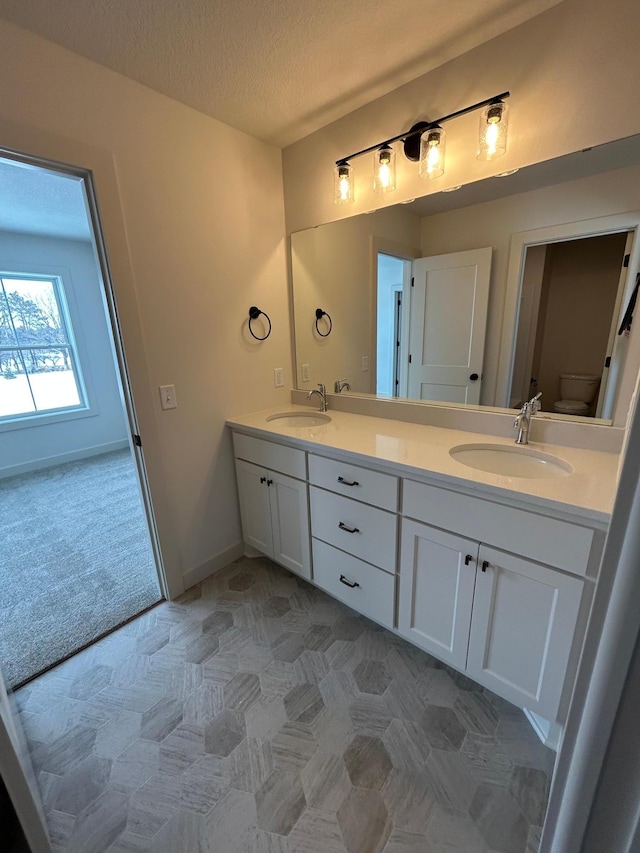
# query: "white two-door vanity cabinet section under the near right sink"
508,621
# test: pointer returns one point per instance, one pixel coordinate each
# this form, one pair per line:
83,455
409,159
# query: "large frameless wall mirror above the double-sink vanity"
481,296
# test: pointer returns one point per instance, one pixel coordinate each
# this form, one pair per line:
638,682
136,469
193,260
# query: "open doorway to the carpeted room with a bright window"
77,545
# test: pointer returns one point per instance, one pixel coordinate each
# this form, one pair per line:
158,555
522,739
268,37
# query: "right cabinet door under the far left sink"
290,523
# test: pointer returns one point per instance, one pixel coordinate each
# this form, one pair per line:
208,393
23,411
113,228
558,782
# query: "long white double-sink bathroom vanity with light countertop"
490,573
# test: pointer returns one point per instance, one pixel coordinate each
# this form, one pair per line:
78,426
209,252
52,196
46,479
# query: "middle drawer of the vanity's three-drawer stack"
357,528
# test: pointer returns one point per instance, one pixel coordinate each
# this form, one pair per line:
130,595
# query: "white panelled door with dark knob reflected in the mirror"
448,318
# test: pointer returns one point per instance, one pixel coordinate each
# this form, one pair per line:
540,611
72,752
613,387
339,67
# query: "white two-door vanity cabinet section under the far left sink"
274,506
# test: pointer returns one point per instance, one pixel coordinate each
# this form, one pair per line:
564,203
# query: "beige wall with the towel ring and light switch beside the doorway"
195,235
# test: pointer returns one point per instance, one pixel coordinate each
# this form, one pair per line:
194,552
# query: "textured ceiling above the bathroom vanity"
277,69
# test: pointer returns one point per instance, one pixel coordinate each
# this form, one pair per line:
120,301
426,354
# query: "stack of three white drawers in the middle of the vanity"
354,526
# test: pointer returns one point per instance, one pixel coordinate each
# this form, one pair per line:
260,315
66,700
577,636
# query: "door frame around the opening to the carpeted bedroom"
39,148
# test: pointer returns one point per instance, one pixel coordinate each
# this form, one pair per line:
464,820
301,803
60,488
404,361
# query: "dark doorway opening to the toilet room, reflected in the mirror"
570,303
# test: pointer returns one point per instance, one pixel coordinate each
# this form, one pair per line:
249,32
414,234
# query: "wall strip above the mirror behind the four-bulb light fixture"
572,73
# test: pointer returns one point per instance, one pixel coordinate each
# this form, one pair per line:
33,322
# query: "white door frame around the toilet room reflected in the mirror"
559,233
